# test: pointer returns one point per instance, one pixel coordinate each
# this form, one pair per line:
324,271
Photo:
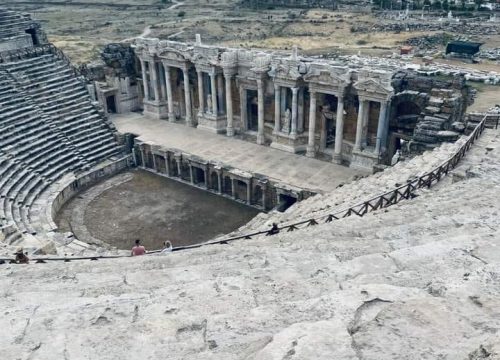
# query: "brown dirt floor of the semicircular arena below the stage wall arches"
154,209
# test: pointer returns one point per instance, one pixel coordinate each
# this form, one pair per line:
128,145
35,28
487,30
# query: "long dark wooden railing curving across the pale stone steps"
403,192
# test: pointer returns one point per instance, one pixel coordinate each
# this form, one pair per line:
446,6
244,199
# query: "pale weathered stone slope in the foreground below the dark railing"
420,280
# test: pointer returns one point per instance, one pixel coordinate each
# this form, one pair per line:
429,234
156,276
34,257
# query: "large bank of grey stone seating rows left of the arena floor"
49,127
